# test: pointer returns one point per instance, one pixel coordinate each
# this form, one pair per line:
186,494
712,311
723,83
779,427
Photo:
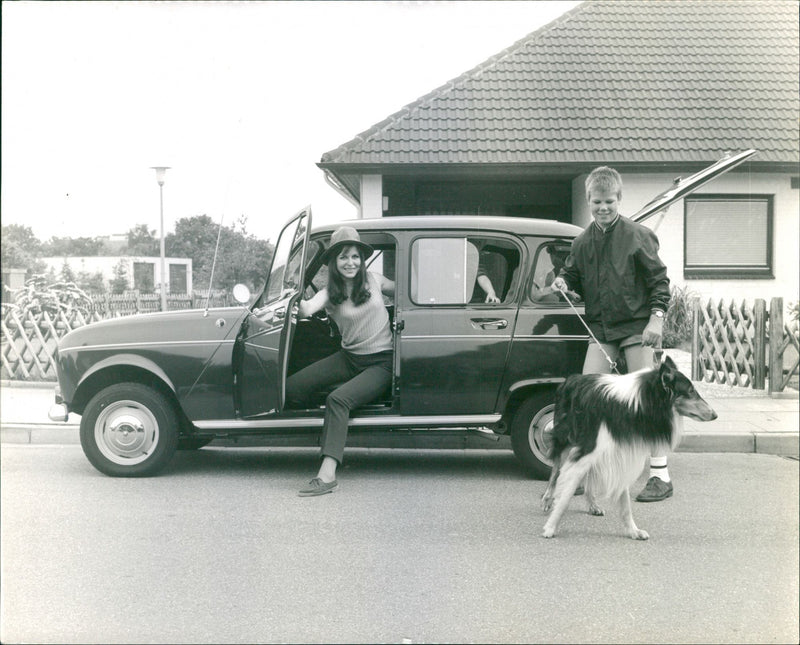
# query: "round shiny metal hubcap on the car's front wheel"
126,432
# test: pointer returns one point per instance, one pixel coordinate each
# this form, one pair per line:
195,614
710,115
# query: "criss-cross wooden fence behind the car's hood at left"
28,340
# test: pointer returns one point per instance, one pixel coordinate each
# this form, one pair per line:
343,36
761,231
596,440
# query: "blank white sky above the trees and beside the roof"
239,99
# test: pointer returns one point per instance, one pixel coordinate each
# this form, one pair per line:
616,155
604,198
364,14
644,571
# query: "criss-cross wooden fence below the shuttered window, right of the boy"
744,346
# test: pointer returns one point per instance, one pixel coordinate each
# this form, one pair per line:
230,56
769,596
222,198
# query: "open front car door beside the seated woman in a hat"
262,345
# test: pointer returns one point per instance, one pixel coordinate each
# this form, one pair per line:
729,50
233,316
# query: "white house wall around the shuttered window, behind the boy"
639,189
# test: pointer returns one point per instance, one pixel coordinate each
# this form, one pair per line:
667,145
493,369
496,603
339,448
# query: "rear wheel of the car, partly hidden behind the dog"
530,434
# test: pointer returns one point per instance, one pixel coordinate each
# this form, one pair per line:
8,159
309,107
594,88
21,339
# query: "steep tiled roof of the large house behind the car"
632,81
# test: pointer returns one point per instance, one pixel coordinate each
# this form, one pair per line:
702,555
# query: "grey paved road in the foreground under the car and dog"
430,546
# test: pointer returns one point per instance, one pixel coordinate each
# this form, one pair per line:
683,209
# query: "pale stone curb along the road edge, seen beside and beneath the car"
764,443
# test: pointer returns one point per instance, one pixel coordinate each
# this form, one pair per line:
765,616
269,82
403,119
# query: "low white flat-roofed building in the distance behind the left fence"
143,273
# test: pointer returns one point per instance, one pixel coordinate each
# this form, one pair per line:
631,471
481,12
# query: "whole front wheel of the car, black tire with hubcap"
129,430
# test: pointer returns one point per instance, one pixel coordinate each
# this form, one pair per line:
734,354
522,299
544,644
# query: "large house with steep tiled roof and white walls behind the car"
656,89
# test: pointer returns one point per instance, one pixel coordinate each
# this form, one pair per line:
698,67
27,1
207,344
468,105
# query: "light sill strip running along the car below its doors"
431,421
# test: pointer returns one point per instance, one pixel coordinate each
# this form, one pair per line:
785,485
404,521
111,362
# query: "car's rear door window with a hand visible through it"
461,270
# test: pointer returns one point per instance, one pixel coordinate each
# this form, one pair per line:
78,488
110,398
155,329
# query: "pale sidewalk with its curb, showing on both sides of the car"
749,420
